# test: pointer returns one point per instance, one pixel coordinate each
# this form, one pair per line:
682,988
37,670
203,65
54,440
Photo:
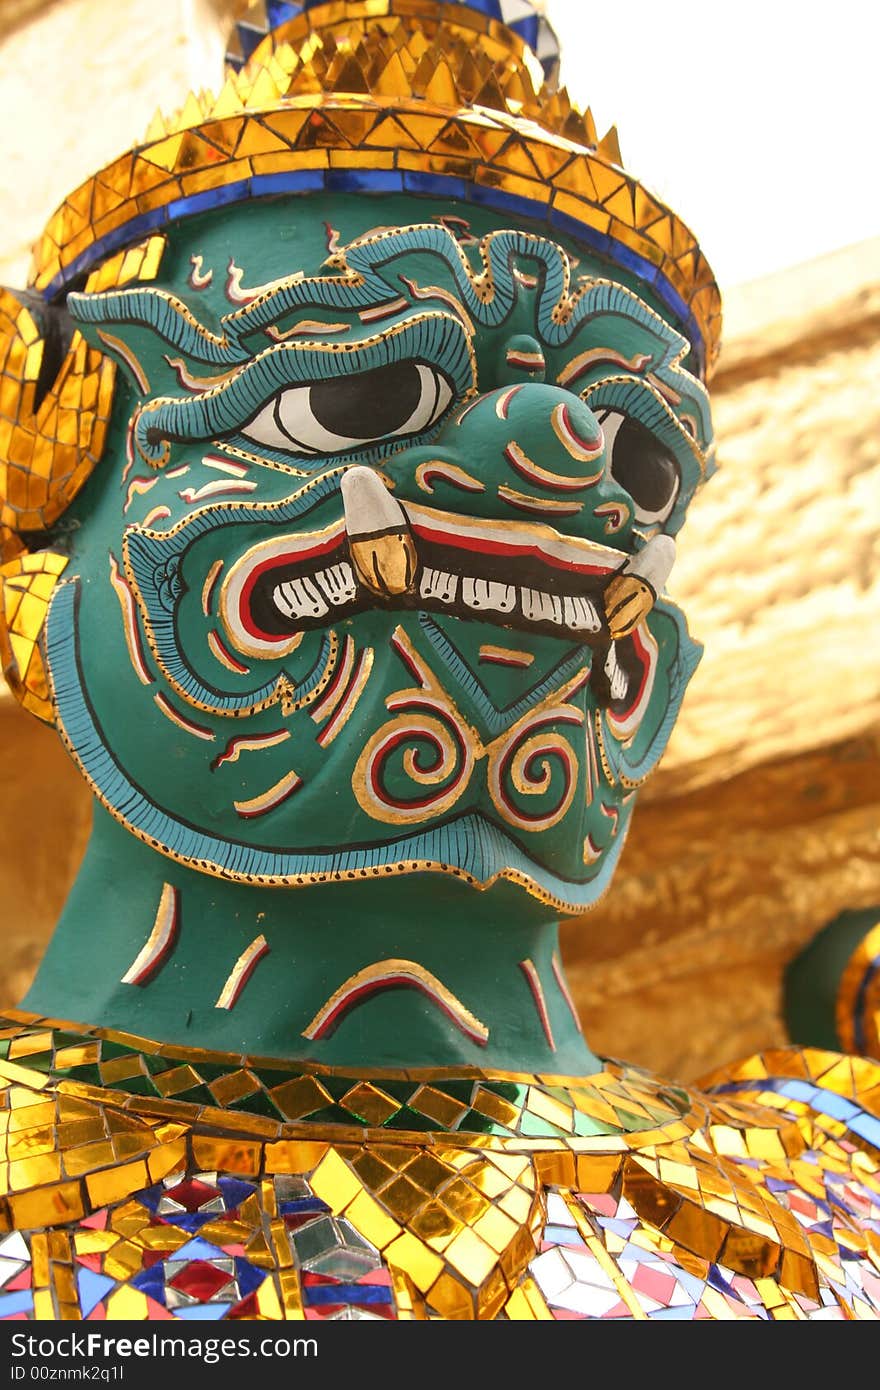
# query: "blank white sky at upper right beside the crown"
758,122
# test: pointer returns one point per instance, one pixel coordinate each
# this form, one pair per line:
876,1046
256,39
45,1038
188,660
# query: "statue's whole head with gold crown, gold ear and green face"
348,440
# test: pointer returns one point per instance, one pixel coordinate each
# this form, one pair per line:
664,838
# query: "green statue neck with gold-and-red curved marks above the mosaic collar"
448,976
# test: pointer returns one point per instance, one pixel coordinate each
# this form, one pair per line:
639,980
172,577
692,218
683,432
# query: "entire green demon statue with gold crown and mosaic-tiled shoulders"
347,429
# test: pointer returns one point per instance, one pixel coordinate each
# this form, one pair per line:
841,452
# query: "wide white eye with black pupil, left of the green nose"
345,414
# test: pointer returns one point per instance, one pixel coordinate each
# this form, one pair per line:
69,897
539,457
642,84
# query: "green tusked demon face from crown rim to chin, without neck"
372,578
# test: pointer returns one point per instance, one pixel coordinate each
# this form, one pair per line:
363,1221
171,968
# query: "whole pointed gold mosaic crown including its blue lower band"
457,99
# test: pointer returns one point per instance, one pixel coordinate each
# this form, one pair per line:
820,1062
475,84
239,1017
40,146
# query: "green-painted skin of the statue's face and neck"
525,819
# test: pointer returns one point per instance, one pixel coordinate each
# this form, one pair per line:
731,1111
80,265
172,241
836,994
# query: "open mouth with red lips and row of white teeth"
522,575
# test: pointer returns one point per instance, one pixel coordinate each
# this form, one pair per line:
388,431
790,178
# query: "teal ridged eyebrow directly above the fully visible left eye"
222,412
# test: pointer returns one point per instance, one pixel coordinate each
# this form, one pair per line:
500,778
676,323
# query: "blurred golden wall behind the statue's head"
764,821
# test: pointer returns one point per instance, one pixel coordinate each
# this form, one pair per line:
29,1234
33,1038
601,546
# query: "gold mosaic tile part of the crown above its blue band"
466,106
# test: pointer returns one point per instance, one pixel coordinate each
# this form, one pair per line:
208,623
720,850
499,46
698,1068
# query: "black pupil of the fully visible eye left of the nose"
369,404
